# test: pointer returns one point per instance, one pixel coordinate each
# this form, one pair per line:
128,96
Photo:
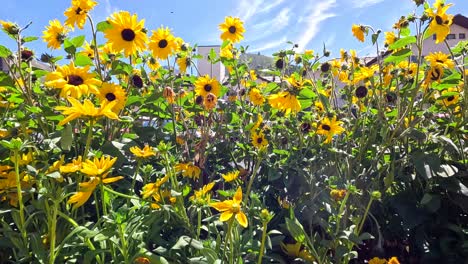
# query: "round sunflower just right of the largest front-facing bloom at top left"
162,43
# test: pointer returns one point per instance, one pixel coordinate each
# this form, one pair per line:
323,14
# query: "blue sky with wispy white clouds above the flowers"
269,23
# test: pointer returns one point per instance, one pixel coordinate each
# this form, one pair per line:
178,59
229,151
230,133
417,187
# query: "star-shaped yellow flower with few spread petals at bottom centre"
230,208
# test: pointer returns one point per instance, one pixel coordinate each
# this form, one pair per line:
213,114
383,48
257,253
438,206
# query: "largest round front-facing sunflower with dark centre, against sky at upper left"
127,33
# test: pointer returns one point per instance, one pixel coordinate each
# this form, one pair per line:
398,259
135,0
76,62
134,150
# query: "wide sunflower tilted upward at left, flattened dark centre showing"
73,81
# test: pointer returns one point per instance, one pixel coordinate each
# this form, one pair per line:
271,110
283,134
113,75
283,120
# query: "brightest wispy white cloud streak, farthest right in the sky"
317,14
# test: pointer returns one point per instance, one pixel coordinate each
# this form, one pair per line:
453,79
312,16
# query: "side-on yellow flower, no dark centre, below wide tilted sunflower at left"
86,109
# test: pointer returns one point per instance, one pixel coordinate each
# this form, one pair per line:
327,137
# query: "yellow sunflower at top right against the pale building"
441,22
